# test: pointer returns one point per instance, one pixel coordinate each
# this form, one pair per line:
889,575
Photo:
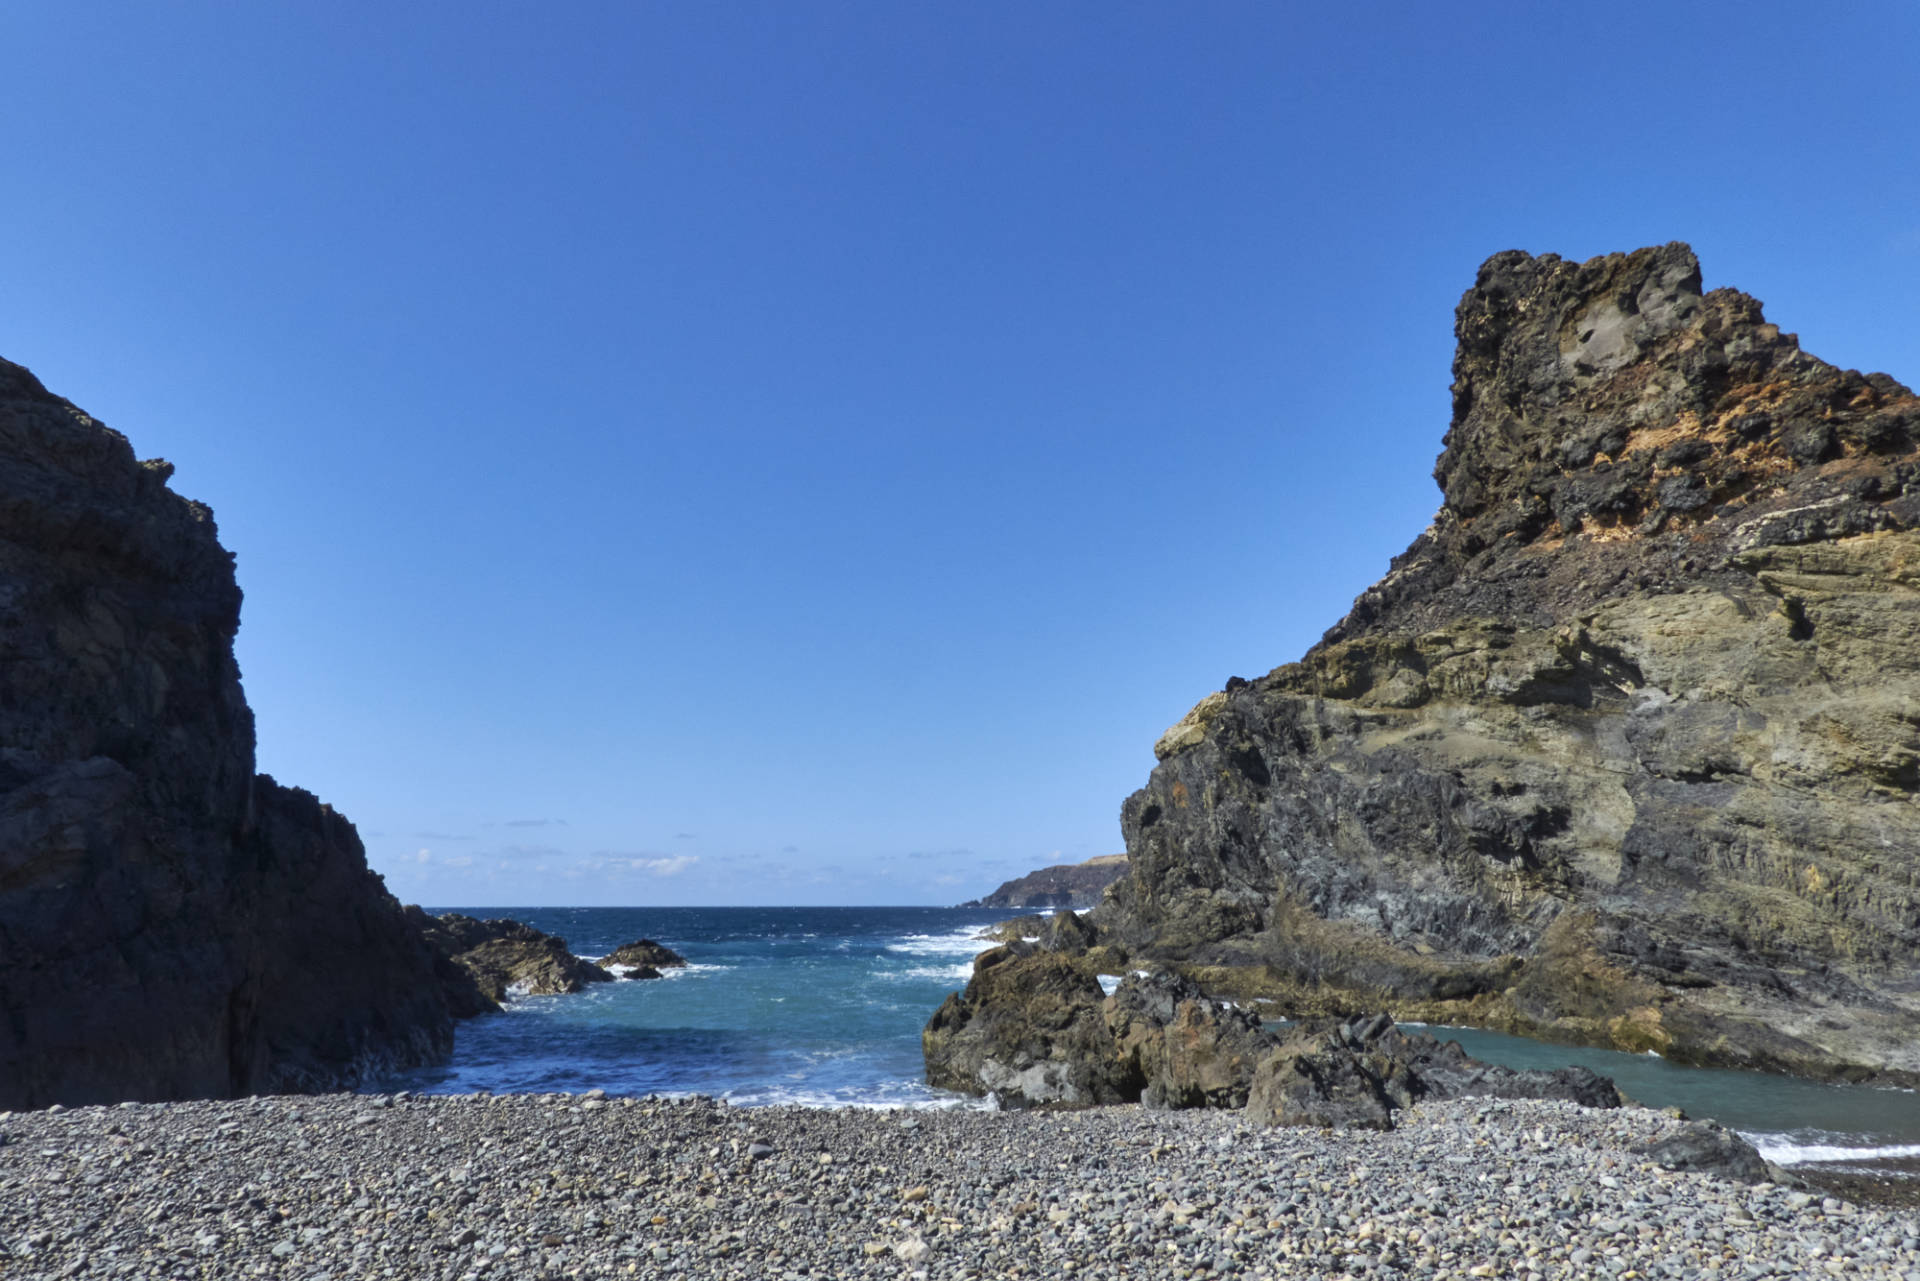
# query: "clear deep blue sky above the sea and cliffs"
809,452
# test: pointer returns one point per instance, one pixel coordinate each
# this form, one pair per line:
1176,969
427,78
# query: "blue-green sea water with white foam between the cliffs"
825,1005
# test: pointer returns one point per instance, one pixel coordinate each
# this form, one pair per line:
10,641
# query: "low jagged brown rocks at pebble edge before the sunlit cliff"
1036,1030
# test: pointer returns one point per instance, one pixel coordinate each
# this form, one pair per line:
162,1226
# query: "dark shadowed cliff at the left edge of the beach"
172,923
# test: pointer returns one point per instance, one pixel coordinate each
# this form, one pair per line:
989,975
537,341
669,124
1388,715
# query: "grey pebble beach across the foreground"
583,1186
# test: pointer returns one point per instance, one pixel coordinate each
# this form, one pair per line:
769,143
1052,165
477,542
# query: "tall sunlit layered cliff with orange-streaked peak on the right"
1625,750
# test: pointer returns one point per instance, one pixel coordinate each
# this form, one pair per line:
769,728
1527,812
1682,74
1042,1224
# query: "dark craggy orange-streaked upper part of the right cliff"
1639,431
